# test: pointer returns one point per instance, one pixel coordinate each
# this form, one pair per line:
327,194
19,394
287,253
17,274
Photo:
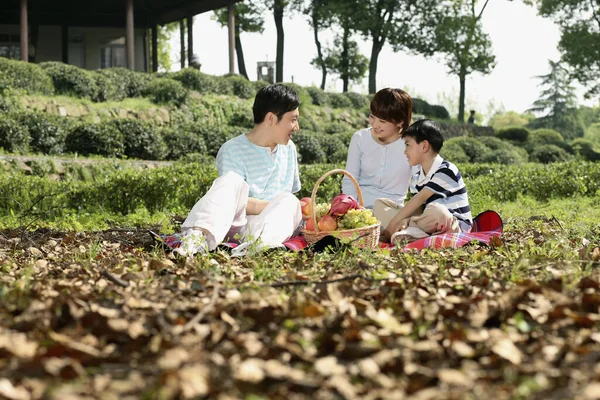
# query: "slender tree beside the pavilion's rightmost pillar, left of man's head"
248,18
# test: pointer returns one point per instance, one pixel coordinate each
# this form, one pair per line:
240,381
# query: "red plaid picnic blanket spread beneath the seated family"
486,226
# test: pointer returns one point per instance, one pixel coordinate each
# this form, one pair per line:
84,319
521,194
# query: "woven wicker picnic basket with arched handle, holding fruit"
366,237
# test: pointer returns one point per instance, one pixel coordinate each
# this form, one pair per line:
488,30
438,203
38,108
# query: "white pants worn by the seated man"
221,212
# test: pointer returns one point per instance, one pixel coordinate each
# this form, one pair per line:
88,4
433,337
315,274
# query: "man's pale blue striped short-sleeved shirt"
268,173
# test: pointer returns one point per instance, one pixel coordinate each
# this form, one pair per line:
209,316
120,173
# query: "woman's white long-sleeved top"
381,170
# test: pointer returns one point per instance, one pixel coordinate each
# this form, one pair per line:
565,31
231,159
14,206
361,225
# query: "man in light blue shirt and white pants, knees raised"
258,172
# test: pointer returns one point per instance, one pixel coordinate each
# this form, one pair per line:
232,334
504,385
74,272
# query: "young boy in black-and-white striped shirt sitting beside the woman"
441,204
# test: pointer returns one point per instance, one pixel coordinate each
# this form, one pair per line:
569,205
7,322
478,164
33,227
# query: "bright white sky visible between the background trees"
522,41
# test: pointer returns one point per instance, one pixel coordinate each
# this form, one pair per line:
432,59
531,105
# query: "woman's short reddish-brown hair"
392,105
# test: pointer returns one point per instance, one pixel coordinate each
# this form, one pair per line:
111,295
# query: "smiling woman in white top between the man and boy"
376,154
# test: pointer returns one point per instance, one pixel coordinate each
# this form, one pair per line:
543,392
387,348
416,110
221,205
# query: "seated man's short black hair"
278,99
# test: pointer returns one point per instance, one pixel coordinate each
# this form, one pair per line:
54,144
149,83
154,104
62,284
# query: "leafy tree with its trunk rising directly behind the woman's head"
407,25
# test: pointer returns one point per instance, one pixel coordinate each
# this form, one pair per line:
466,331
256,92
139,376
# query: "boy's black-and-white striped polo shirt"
445,181
